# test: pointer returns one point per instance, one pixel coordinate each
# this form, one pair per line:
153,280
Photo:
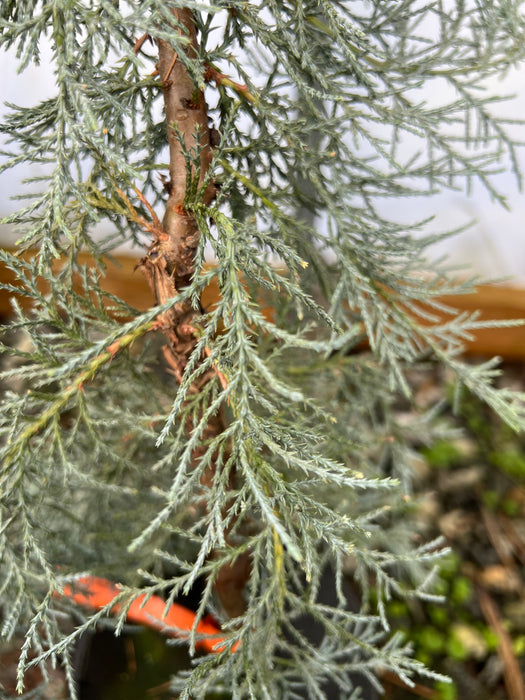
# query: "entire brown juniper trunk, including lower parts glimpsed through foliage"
169,264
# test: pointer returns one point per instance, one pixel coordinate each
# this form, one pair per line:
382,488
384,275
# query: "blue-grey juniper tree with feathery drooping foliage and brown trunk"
252,446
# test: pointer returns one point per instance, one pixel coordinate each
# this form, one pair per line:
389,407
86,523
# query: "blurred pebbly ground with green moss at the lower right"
471,490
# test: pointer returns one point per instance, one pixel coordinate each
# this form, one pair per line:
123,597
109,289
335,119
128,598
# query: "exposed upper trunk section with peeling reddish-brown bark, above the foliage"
170,261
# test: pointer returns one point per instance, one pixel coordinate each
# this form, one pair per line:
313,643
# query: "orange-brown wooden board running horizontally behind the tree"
124,280
